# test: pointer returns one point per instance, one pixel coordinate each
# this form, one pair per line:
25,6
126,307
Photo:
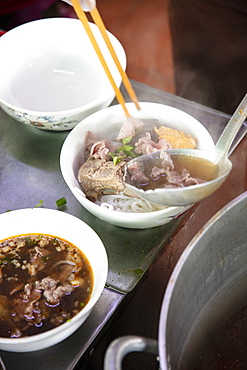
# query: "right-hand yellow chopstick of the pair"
99,22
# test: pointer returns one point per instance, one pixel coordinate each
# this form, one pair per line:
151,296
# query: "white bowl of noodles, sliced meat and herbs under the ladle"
94,155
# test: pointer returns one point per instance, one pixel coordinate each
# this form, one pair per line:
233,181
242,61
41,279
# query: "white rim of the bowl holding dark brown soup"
96,292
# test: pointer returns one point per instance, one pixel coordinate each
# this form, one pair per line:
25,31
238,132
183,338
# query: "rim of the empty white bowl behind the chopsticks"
73,111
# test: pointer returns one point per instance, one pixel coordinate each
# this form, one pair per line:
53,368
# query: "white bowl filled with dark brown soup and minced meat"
53,269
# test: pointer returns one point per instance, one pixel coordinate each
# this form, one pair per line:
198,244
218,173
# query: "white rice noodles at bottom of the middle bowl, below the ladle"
122,203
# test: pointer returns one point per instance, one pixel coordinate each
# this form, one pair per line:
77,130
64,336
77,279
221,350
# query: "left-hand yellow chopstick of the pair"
82,17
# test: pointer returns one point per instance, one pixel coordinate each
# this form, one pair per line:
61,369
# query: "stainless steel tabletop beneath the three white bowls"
29,172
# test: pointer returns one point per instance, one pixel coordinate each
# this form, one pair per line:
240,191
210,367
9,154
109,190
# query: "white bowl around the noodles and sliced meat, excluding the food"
107,123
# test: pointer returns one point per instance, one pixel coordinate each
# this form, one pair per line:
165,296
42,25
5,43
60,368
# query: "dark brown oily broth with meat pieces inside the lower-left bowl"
44,282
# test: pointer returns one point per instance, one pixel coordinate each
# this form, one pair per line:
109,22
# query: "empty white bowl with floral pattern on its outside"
51,77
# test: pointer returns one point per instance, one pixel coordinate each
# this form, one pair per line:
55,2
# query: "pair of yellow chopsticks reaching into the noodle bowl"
98,21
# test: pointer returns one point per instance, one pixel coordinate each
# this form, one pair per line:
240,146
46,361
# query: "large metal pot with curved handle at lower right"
207,287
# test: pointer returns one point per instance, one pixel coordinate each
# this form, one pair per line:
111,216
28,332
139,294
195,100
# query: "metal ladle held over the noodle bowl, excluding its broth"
181,196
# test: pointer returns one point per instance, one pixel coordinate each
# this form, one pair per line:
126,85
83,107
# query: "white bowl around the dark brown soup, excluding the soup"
72,229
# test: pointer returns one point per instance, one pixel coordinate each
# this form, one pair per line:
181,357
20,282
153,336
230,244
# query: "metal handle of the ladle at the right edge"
228,135
